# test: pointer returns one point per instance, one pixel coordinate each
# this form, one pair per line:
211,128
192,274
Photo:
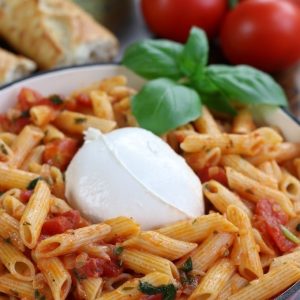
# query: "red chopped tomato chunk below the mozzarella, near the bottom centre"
96,267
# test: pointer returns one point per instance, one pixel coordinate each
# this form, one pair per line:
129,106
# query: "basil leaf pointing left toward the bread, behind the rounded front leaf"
154,58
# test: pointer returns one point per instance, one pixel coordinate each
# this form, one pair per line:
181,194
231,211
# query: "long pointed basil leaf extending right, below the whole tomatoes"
246,85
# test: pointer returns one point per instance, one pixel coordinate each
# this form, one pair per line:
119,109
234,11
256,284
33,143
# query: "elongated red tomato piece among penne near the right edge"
271,217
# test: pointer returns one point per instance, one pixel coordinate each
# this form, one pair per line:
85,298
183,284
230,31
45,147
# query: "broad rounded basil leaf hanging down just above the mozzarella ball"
162,105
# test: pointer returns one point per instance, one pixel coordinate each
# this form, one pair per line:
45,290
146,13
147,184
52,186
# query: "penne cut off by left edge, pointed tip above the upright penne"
14,178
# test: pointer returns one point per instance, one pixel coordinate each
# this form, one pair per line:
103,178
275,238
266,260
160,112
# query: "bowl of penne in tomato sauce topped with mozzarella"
244,245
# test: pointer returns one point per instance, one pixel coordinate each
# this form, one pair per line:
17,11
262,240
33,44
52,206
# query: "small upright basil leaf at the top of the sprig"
194,56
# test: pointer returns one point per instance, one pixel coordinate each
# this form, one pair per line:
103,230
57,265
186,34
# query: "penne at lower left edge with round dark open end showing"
16,262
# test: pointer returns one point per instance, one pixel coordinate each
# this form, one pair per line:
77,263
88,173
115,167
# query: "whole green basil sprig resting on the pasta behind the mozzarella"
181,81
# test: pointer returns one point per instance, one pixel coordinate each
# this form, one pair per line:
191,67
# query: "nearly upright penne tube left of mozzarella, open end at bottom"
35,214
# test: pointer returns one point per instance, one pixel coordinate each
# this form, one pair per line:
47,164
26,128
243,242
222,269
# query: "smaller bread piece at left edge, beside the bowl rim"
13,67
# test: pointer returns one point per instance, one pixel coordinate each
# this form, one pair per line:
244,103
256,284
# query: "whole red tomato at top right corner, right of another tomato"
262,33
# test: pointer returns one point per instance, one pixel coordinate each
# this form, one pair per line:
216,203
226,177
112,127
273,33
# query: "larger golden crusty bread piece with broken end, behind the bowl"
55,33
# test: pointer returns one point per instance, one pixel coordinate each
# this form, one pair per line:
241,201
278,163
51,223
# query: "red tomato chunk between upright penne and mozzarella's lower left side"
59,224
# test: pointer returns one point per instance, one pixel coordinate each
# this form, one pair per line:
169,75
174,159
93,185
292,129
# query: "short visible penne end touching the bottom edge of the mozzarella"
121,227
